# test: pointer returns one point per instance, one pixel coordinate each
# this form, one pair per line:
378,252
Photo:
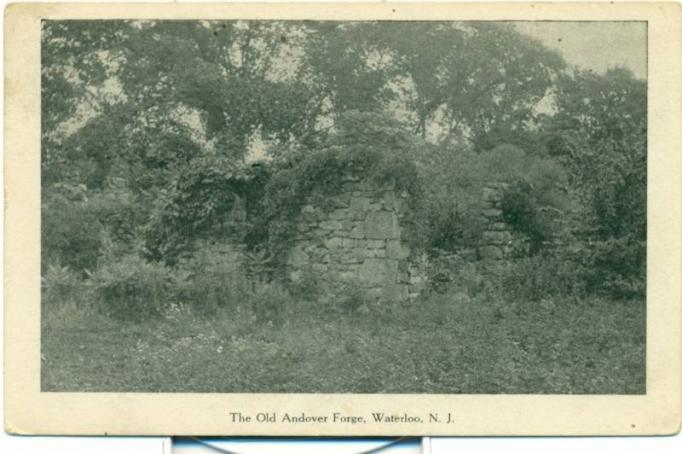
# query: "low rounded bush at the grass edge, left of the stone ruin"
132,288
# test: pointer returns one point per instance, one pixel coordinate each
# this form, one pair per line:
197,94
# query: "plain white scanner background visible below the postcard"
473,445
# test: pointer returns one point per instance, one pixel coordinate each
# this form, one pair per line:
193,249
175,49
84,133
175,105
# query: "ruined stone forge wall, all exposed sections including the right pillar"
360,244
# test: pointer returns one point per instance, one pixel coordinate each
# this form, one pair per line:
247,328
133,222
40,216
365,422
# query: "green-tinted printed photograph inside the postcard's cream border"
305,206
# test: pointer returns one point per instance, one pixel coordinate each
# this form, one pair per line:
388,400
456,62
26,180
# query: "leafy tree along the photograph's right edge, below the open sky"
600,133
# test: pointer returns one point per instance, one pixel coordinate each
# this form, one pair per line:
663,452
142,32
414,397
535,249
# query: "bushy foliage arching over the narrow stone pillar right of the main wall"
454,178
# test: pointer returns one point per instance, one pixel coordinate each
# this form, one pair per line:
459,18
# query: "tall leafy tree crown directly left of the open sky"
478,80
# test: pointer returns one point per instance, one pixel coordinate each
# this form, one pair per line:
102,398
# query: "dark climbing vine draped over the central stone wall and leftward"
201,201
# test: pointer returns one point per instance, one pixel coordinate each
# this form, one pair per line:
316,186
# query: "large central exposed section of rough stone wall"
358,244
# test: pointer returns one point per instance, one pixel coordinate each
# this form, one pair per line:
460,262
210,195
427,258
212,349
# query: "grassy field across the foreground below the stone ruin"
443,344
